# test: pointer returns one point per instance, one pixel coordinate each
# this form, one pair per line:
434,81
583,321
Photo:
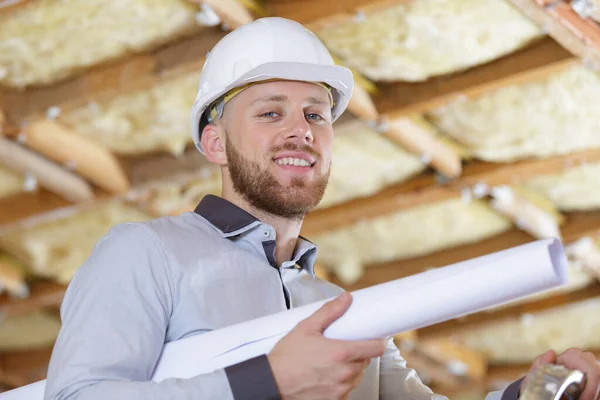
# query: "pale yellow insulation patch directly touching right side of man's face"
364,162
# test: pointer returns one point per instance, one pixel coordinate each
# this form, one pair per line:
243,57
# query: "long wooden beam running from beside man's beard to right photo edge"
423,190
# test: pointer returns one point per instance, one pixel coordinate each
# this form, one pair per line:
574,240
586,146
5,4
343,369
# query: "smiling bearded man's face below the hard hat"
278,146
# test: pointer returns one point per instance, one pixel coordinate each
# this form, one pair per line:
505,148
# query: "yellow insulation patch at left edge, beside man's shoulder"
56,248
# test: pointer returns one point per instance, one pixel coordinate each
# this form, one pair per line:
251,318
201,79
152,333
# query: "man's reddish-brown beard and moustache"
261,189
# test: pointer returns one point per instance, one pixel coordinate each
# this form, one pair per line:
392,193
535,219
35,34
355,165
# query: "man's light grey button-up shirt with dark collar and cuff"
146,284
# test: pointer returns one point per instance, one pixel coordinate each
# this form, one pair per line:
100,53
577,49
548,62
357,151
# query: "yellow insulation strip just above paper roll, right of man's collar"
411,233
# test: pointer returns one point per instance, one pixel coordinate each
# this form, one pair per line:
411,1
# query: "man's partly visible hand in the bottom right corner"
572,359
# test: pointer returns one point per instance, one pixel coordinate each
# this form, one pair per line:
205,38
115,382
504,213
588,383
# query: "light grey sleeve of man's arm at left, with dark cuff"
115,316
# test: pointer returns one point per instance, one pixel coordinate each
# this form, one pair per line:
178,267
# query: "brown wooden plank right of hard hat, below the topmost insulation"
534,62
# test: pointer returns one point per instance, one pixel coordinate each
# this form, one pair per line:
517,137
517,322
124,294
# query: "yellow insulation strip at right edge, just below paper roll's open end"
521,340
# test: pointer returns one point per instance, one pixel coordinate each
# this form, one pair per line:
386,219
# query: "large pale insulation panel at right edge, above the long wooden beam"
554,116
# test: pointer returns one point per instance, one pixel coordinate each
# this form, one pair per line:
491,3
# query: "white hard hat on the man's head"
266,49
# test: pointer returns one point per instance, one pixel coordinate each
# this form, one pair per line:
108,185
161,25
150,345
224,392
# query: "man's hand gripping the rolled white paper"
307,365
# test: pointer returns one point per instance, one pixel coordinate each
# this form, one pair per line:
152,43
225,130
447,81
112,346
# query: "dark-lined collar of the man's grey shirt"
230,220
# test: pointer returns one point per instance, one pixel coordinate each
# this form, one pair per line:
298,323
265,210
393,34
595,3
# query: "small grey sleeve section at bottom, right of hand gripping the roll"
397,382
